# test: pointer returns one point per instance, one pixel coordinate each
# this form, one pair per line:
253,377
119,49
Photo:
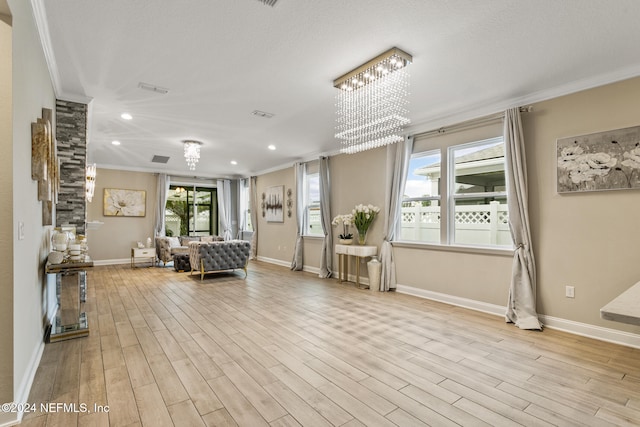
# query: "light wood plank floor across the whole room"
282,349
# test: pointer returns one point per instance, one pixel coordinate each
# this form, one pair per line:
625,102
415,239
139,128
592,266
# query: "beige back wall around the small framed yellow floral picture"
114,239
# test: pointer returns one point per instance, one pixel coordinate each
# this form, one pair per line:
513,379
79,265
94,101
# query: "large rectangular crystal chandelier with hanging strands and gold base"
371,104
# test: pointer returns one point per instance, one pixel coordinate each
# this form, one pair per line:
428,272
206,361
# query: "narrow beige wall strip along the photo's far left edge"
6,212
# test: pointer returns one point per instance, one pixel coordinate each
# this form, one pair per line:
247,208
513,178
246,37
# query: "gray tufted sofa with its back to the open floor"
219,256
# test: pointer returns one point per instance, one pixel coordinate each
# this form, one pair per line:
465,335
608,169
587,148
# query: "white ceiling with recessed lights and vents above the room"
223,59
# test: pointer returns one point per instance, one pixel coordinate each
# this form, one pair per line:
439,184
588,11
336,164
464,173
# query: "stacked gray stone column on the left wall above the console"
71,136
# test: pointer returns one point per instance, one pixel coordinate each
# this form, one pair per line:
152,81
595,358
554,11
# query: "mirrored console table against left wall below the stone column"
70,320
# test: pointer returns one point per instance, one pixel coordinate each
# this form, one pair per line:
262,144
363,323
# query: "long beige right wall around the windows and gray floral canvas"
584,240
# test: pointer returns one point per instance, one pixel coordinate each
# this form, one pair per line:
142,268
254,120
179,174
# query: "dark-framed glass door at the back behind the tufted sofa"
191,211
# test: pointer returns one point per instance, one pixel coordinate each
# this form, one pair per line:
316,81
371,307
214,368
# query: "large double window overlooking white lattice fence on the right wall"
464,203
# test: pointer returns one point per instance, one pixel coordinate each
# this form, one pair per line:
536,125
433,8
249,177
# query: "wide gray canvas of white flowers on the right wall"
599,161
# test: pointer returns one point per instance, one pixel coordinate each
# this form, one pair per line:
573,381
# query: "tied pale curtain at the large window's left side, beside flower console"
398,158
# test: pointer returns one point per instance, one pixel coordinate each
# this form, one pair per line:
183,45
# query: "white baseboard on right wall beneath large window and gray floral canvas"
583,329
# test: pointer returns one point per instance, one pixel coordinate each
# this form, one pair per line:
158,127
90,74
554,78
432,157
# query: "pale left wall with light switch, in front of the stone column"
32,91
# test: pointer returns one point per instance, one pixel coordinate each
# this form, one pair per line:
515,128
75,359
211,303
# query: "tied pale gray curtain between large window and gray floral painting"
521,307
